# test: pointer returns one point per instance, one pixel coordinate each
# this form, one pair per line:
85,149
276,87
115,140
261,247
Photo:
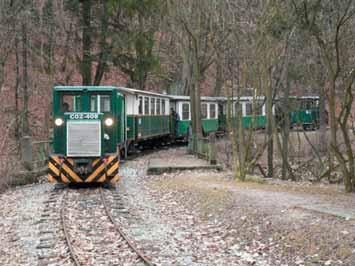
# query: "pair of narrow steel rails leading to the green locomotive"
76,258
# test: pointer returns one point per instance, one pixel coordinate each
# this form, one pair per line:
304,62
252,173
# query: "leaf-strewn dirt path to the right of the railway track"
246,223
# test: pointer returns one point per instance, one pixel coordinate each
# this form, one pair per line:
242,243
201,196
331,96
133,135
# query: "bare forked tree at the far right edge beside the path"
328,22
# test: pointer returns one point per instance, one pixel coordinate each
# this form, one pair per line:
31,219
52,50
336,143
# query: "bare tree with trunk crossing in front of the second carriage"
196,26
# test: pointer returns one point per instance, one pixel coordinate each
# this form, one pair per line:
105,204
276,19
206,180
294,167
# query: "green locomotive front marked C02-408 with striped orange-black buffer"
87,134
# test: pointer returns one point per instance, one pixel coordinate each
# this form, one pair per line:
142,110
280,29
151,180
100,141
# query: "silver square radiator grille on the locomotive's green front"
83,138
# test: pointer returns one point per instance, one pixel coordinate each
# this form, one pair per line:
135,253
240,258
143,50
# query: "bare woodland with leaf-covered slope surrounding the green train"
231,48
